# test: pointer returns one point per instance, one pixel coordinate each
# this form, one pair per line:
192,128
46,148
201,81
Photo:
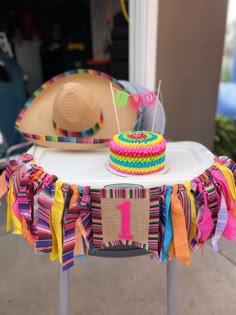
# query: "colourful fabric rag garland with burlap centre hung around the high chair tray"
67,221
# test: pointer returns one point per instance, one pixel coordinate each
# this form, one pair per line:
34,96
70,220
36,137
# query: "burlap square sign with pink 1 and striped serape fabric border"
124,216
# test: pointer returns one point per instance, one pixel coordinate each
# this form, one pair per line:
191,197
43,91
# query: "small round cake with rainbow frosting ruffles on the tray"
137,153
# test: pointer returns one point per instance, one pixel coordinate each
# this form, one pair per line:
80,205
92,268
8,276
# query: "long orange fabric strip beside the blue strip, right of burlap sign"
182,250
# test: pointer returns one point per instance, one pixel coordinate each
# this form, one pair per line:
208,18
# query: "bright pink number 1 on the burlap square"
125,220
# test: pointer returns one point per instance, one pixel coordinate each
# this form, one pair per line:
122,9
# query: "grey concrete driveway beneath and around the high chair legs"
114,286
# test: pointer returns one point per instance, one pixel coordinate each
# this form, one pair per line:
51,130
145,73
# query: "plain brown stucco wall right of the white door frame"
190,48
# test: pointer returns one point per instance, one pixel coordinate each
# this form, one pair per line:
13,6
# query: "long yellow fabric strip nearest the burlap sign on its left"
56,222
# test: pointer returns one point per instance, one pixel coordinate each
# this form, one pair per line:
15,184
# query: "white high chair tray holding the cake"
185,161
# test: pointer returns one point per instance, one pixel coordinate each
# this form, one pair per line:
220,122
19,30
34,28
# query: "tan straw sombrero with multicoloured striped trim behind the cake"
75,111
